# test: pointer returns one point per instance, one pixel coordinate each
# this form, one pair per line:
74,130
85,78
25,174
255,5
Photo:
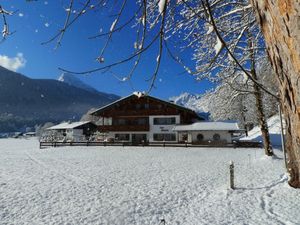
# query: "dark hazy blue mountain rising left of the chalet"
25,102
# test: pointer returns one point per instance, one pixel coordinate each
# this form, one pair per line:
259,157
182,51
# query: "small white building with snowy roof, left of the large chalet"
76,131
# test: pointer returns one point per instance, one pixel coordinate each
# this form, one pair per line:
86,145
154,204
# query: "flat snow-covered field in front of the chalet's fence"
136,185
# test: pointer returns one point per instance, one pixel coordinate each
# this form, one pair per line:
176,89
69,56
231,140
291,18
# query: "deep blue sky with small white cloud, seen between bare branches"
37,22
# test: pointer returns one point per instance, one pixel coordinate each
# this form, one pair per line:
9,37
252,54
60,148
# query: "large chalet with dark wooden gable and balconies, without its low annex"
142,118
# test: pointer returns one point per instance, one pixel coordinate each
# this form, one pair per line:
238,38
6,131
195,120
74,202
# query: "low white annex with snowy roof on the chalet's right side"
208,132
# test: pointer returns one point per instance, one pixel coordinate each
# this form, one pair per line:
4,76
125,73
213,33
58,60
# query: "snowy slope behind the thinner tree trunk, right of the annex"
274,130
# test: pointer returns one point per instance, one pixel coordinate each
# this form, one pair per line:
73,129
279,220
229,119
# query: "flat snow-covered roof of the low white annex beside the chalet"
200,126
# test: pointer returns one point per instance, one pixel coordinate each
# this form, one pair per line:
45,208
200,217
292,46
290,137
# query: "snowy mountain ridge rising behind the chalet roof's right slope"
191,101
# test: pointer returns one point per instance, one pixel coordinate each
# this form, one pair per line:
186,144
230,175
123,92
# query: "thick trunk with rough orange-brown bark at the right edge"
280,23
